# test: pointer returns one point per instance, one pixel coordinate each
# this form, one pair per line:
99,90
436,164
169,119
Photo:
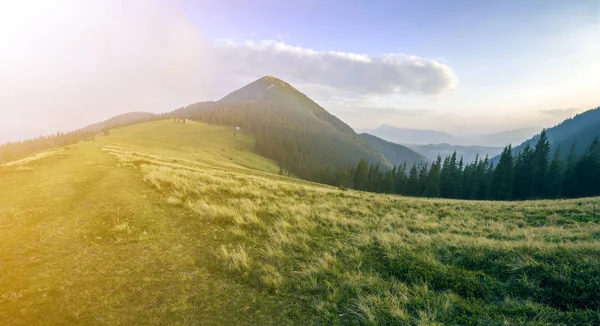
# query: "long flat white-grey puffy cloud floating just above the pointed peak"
385,74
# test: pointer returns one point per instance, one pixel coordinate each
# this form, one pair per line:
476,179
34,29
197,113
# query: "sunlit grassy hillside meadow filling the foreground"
165,223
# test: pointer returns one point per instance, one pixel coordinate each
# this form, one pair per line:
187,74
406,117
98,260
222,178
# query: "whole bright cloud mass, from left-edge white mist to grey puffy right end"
72,63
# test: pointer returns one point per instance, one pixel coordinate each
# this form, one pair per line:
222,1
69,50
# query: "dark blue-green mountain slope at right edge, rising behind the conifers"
581,130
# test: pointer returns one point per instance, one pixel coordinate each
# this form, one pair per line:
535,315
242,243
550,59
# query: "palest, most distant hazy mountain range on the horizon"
425,137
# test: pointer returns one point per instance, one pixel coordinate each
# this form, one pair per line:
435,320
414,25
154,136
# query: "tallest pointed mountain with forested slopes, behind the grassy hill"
289,128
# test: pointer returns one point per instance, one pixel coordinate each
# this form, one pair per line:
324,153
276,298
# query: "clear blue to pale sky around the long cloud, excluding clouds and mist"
498,50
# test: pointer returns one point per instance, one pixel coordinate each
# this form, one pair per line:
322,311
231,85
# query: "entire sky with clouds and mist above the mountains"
464,67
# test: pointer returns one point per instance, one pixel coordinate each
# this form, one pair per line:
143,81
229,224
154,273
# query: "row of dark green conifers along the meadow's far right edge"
533,173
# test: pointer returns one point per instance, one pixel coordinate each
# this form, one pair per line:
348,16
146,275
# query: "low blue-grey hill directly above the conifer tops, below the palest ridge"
468,153
